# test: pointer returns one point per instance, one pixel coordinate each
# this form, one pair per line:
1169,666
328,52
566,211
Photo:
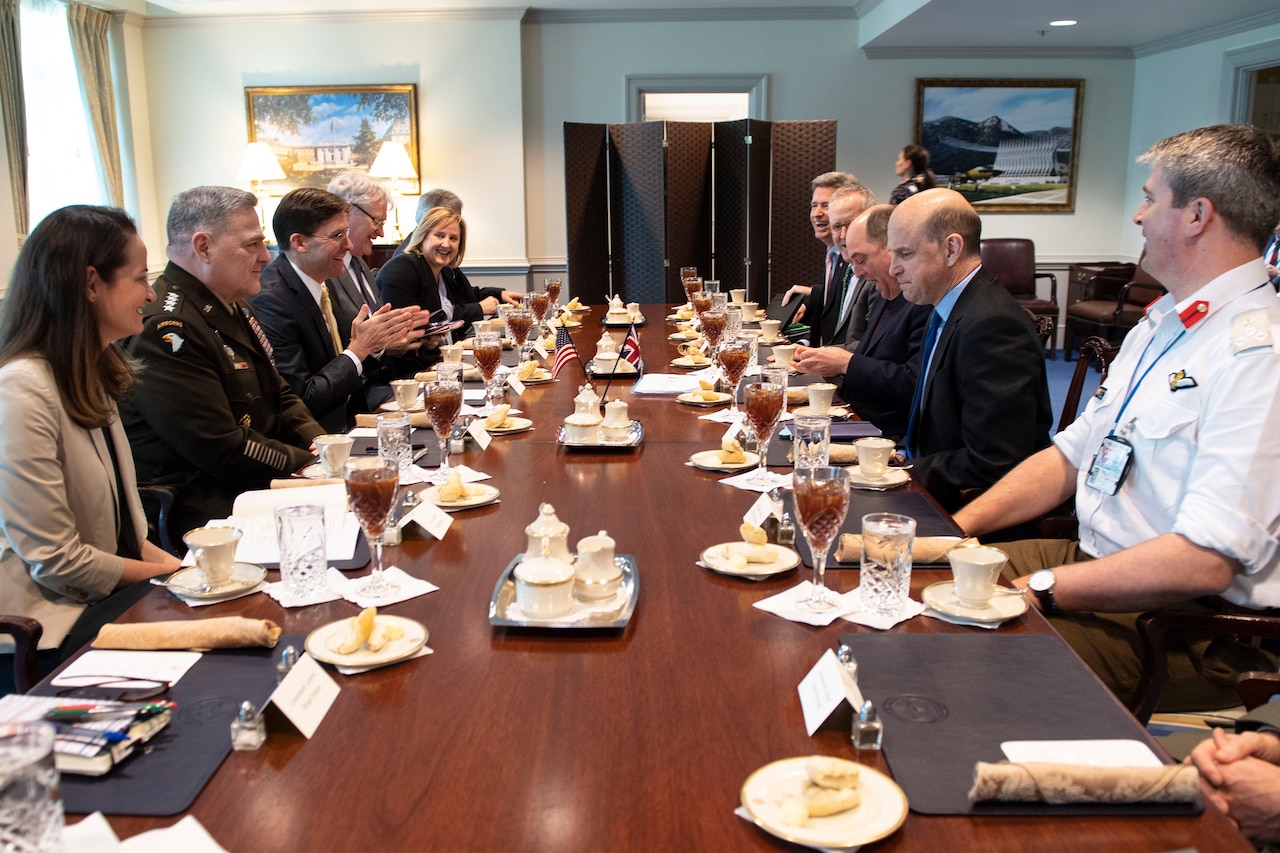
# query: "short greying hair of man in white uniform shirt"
1237,167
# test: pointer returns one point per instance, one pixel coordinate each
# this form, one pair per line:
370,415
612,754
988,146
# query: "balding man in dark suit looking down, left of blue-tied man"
879,378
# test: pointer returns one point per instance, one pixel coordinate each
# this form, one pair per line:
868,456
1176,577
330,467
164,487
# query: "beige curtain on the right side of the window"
89,28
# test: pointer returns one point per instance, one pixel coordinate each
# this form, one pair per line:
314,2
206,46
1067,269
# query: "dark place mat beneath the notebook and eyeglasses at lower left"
166,777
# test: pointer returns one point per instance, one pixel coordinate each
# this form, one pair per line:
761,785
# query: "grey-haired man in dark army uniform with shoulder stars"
211,414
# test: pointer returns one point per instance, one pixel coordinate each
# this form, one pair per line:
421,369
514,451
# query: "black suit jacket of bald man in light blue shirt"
986,399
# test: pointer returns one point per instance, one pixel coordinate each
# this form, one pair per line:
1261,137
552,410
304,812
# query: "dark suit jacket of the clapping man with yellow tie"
327,381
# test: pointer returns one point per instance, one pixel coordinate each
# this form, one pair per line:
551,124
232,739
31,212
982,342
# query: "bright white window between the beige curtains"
62,156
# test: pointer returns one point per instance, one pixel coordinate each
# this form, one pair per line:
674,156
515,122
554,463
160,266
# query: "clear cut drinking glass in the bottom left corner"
31,809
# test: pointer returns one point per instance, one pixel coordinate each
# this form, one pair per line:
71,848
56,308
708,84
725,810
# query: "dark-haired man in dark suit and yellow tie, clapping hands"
322,358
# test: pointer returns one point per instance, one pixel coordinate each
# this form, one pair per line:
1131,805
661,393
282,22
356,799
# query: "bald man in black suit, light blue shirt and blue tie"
981,405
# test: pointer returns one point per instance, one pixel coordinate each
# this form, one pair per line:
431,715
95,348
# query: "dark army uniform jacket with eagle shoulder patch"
211,416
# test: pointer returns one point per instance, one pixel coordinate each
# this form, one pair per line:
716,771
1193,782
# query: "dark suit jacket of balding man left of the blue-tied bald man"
880,380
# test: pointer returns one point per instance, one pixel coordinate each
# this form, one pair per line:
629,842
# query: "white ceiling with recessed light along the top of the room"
886,29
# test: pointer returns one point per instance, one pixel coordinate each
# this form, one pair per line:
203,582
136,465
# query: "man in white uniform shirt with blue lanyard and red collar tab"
1173,464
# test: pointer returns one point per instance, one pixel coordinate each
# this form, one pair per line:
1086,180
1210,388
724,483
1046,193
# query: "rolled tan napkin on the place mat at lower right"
1053,783
